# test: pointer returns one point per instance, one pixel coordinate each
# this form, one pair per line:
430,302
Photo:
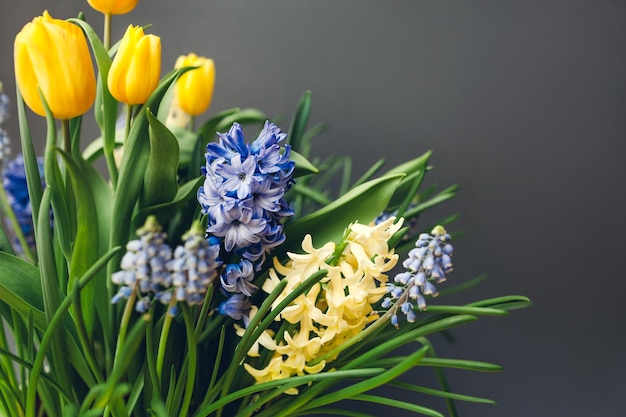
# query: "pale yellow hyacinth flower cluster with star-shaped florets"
332,311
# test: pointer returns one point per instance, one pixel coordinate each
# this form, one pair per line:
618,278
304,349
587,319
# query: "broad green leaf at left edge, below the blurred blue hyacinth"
20,287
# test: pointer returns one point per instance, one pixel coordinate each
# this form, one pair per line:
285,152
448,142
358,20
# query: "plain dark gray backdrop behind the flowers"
522,103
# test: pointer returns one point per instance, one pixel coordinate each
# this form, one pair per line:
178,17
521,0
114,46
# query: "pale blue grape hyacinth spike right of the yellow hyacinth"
430,260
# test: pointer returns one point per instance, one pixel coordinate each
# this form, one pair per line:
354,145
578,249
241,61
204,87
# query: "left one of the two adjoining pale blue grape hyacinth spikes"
144,266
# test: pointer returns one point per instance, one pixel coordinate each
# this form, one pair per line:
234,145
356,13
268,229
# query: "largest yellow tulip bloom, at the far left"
52,56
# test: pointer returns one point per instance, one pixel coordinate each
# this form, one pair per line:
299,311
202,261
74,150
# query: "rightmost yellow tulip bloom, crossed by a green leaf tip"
194,89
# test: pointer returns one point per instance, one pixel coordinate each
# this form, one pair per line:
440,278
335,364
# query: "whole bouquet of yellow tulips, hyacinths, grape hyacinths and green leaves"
197,272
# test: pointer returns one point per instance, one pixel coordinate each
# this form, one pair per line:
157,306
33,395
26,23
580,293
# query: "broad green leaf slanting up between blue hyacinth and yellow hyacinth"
361,204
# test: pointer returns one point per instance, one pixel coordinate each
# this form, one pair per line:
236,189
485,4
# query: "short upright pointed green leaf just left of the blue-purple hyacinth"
160,180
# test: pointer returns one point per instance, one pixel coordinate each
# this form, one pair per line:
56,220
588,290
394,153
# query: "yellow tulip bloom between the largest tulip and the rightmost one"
136,68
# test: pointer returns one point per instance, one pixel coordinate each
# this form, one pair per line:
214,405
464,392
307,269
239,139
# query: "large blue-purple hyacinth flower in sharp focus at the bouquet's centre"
243,198
